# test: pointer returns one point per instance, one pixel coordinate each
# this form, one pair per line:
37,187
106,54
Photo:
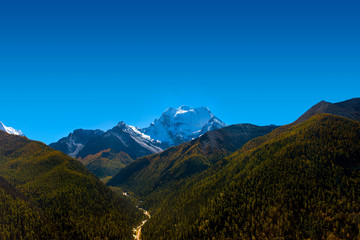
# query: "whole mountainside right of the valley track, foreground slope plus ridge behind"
217,187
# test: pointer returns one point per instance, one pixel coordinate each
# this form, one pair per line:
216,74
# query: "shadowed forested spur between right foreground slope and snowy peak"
173,164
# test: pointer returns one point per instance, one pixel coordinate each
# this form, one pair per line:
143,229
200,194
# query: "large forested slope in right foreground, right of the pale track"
298,182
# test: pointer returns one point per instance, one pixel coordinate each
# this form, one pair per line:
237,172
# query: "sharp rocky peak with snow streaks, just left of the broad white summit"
122,138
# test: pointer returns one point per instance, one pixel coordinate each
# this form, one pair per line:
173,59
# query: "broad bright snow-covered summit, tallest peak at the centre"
178,125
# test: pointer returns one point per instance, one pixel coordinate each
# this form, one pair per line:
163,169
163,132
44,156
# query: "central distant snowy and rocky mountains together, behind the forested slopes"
124,142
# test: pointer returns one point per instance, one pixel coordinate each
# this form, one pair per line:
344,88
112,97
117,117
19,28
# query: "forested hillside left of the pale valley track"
48,195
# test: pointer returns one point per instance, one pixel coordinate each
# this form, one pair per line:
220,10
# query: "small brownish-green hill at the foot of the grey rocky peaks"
106,163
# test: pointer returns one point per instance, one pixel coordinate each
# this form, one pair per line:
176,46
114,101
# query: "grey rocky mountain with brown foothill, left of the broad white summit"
104,153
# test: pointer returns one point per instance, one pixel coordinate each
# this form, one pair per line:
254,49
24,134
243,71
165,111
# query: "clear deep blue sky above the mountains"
90,64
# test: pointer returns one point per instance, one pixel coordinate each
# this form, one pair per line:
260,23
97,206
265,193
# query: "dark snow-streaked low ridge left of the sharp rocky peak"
75,141
